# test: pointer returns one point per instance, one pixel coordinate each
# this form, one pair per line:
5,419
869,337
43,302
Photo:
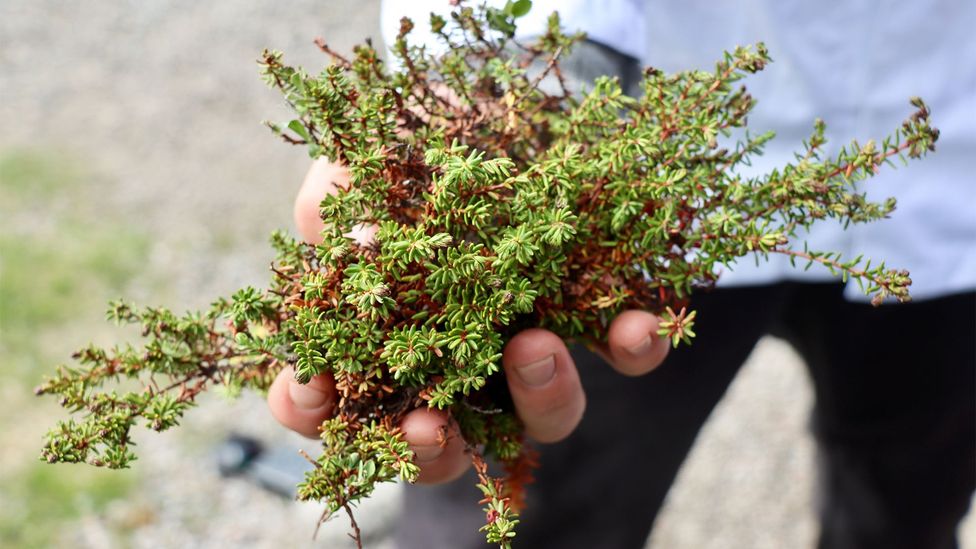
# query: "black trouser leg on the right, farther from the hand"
895,418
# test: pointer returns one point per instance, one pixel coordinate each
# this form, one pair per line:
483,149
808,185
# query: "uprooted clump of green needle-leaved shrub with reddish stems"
498,206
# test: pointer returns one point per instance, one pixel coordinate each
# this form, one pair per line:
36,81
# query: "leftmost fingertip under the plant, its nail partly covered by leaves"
302,408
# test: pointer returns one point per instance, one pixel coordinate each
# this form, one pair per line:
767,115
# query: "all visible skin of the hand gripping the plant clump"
541,375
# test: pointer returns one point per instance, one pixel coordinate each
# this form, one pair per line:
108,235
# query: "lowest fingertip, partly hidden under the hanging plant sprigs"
437,446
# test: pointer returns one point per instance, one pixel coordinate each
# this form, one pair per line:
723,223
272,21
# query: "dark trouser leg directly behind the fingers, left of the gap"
603,486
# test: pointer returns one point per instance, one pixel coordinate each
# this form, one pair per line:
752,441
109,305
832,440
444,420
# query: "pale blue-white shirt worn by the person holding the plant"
853,63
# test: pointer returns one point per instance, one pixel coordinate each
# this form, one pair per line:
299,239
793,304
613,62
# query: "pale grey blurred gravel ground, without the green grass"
162,99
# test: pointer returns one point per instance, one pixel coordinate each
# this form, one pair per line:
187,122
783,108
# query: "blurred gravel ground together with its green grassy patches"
152,111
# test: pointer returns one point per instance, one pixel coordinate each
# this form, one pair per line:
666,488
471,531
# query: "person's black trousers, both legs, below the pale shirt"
895,423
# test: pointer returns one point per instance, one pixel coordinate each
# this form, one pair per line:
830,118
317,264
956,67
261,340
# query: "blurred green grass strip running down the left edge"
63,253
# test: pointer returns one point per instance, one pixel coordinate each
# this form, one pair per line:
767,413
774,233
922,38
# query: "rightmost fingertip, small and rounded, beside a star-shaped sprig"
633,344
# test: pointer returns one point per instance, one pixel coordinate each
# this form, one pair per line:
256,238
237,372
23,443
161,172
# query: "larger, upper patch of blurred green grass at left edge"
60,260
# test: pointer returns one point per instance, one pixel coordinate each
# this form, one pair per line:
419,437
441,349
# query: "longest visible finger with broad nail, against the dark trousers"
544,384
